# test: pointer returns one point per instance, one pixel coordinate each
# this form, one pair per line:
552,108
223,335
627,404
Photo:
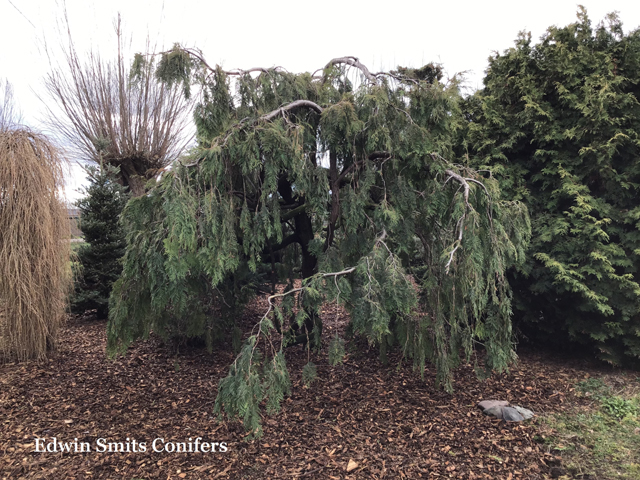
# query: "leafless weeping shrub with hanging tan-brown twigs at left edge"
34,246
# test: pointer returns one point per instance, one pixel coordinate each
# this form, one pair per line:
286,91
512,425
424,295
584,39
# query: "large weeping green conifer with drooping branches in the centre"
339,178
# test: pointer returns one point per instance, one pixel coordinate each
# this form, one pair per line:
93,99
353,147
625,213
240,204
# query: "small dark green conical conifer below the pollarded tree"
100,258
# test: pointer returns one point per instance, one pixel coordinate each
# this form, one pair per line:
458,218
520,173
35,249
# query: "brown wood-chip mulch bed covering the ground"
381,421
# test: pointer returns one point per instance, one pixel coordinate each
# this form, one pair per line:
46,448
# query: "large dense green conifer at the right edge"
559,124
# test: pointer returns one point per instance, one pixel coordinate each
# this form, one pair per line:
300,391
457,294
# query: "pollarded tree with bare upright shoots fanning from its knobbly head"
137,126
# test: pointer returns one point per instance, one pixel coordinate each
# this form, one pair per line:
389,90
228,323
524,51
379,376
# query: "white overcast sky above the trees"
297,35
